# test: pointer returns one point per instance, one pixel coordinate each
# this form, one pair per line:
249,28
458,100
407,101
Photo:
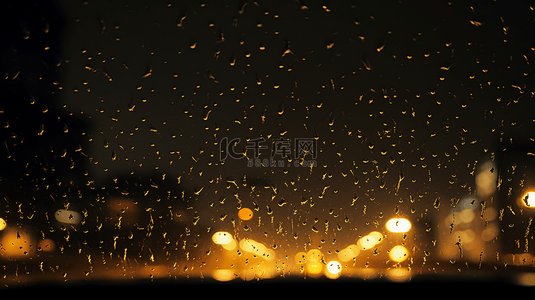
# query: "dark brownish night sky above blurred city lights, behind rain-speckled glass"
127,41
